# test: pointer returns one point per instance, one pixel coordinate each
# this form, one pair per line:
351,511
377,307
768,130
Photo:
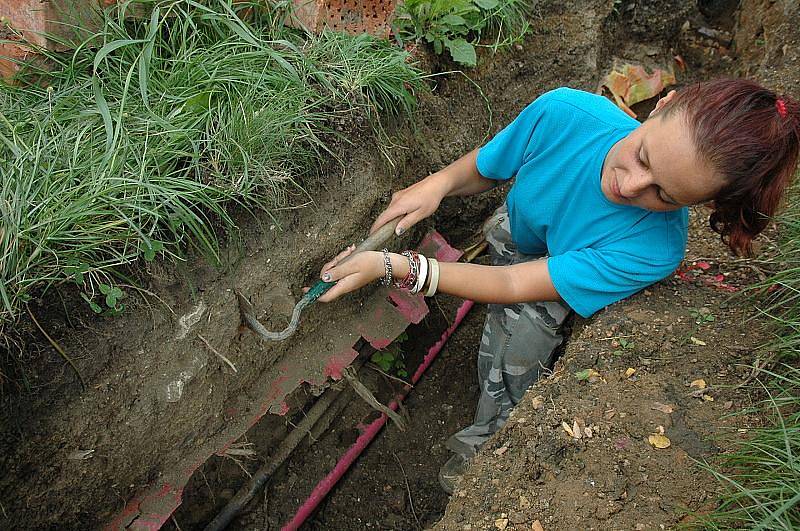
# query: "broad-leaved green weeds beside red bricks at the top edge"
459,25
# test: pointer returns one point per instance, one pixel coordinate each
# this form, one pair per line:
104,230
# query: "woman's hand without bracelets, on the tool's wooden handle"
412,204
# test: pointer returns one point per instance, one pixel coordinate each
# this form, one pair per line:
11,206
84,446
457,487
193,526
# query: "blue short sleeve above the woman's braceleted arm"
590,279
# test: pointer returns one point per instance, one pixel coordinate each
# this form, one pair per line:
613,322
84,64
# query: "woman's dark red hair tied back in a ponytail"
751,136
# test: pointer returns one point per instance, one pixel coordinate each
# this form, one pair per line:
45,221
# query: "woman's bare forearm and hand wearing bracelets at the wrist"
526,282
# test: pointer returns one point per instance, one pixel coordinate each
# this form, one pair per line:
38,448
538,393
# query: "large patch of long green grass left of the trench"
142,140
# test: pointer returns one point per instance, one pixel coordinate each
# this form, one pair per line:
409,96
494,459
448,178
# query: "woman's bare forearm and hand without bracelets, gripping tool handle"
421,199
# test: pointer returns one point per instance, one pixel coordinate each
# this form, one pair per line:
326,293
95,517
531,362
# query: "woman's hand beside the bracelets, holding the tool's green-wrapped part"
355,272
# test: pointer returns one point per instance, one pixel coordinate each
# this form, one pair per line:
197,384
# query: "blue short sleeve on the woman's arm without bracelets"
503,156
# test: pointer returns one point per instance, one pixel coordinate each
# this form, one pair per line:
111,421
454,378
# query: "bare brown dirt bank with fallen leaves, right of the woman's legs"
584,449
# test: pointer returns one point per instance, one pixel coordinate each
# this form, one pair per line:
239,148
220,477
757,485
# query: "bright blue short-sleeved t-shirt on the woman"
600,252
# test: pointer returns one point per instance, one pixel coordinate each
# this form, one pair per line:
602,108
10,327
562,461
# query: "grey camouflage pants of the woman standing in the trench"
517,345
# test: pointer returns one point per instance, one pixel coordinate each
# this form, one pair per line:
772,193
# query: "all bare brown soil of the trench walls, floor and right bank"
533,470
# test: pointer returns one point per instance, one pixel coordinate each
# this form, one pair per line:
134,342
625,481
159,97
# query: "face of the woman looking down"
657,168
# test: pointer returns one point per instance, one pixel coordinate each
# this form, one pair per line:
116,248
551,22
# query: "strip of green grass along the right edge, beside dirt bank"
762,476
